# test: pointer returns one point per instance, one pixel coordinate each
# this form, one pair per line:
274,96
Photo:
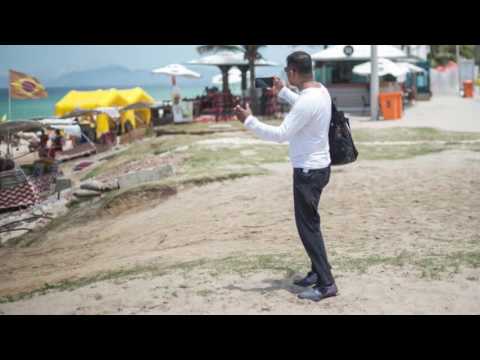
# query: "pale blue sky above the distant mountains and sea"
50,61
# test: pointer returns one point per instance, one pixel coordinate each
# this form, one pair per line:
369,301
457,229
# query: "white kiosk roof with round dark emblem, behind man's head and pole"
357,52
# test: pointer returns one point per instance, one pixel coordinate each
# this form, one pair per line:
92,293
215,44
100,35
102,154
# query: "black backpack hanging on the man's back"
342,148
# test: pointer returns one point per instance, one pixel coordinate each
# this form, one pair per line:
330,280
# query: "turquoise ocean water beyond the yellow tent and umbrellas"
28,109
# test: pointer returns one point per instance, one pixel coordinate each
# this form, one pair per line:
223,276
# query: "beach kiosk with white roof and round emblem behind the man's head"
334,68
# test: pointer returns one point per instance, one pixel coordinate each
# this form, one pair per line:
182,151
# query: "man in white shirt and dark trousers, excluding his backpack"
306,128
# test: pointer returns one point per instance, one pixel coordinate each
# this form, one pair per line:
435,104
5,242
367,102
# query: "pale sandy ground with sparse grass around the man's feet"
403,236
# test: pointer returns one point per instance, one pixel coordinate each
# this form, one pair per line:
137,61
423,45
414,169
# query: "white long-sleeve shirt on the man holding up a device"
306,127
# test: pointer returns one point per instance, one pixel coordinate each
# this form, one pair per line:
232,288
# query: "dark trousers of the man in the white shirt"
307,190
